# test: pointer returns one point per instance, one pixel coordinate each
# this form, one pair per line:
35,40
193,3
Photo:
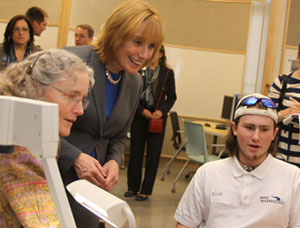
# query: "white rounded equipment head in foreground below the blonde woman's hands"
106,206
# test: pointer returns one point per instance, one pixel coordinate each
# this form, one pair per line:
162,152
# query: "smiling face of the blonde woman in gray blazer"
133,54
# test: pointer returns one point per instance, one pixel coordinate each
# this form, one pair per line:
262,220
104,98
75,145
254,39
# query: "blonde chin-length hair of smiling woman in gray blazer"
123,23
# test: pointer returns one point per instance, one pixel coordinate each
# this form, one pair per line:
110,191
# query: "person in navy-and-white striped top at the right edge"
288,146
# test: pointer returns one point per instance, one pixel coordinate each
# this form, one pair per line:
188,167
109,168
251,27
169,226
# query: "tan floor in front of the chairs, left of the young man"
158,210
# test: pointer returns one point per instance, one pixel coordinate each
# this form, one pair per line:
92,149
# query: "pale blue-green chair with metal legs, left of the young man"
196,148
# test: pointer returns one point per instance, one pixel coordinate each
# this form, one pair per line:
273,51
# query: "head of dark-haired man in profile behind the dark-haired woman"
38,18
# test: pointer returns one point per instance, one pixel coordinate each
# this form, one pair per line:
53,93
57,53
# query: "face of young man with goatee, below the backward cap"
254,136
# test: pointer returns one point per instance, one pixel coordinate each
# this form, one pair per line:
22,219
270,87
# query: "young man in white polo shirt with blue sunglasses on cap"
251,188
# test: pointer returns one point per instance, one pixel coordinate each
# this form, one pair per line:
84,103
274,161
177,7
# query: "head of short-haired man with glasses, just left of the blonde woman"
84,34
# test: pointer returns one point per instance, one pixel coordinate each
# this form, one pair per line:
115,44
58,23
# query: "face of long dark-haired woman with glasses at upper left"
21,32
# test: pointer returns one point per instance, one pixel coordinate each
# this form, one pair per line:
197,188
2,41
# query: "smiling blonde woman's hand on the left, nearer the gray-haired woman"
90,169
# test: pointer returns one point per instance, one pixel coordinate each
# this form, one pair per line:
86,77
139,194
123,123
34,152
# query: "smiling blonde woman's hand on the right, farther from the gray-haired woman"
111,169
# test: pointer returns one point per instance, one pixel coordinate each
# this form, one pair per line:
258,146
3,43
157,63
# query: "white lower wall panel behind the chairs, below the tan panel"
203,78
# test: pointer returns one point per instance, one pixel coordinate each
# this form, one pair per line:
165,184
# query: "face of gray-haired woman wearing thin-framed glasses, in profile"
68,94
